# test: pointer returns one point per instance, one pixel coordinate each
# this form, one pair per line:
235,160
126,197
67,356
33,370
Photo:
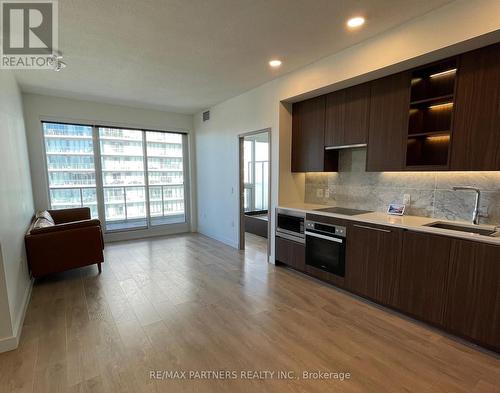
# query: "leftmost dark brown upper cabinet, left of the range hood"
308,138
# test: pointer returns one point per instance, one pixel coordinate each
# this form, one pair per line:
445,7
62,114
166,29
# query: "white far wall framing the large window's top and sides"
39,107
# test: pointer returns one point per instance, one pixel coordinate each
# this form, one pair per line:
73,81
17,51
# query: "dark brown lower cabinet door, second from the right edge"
424,270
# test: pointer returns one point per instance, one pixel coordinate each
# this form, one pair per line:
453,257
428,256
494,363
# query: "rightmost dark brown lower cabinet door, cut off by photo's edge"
473,292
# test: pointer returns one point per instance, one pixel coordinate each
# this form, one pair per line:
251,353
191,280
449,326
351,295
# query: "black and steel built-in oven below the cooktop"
326,247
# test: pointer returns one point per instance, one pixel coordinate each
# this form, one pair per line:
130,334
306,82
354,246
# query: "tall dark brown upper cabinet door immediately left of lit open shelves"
388,124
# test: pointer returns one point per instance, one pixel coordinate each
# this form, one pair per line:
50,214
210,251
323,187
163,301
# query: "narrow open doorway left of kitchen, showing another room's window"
255,190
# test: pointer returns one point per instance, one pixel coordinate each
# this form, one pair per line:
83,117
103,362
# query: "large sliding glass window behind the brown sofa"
139,181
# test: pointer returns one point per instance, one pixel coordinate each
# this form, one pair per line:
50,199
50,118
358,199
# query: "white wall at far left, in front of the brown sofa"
16,211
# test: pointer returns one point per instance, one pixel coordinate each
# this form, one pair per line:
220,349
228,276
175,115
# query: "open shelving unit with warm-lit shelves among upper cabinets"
430,117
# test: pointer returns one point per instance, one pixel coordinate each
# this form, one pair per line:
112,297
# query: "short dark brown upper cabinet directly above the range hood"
347,116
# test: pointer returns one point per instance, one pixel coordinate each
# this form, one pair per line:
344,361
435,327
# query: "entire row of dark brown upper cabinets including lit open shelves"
437,117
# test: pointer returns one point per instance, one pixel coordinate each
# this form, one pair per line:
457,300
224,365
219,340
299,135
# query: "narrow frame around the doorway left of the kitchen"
241,204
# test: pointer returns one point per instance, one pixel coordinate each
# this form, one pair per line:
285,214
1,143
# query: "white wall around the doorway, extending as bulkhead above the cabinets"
442,33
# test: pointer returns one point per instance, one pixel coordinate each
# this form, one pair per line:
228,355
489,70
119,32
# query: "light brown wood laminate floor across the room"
189,303
